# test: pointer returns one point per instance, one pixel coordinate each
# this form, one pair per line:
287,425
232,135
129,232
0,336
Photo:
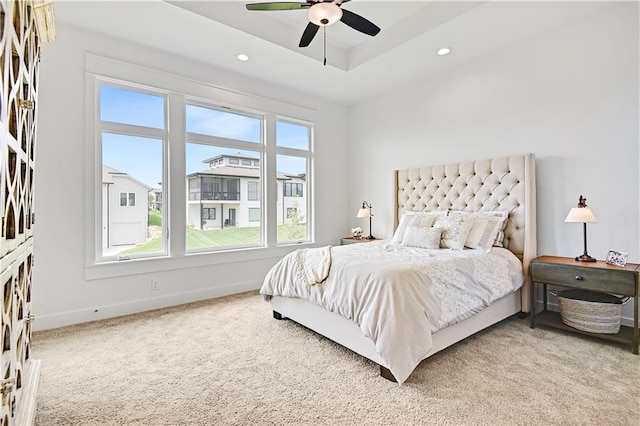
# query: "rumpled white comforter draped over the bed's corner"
399,295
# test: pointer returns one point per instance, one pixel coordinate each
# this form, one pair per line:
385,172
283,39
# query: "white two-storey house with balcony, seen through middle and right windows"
228,194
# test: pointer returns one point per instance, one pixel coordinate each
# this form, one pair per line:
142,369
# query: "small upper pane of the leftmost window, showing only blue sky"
129,107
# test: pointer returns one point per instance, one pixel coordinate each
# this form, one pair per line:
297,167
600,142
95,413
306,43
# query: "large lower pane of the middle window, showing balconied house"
218,181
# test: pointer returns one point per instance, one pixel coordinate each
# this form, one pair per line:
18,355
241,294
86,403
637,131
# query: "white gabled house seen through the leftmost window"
125,209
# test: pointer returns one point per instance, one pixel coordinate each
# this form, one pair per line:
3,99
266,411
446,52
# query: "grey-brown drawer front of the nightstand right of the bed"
610,280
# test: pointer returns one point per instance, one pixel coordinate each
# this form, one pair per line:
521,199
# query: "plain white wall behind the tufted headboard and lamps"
570,96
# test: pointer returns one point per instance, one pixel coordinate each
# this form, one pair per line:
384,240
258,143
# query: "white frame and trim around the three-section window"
177,88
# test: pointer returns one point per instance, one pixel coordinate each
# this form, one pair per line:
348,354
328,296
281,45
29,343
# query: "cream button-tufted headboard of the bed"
506,184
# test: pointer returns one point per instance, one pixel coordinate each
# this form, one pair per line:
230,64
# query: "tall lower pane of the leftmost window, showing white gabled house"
131,170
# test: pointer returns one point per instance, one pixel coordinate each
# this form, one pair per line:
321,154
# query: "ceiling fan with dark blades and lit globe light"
321,14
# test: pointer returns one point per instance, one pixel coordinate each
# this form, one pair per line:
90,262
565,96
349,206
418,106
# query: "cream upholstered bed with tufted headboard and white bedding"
327,276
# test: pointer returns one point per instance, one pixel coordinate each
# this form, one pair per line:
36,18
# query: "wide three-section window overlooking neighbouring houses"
225,206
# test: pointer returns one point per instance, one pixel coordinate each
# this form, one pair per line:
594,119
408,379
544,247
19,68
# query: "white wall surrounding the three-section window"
64,292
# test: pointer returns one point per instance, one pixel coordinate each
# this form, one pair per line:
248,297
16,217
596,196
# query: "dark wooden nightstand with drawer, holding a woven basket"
597,276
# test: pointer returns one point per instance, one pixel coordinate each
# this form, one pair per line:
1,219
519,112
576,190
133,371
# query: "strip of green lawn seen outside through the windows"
222,237
